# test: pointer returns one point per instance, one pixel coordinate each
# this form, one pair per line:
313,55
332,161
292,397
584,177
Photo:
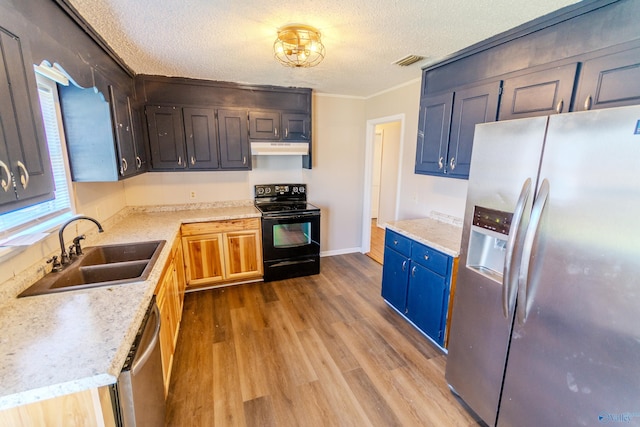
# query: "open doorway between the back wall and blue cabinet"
382,181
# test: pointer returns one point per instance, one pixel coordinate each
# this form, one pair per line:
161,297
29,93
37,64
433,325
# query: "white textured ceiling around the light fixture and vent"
232,40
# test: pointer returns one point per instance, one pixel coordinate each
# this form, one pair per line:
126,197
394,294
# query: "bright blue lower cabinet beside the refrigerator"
417,282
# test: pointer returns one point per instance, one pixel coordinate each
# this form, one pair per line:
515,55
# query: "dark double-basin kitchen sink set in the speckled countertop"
100,266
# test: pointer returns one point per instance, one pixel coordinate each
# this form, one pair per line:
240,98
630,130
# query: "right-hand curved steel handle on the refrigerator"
529,239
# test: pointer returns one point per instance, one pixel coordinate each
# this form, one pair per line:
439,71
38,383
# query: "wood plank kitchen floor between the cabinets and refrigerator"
322,350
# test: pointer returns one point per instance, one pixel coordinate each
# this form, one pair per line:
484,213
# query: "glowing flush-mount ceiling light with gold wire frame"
298,45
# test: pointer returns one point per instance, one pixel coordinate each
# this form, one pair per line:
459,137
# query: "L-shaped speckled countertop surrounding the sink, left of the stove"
62,343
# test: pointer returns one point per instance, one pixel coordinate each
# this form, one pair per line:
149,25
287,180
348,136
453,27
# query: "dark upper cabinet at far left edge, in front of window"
25,168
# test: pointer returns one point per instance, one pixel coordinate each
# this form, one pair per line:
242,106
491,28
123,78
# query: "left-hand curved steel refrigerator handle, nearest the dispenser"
509,283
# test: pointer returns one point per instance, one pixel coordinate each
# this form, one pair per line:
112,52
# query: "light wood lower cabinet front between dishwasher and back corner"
170,299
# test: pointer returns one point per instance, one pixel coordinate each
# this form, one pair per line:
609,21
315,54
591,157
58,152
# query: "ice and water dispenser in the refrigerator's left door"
488,242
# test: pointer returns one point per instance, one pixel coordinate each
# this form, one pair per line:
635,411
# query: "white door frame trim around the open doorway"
365,245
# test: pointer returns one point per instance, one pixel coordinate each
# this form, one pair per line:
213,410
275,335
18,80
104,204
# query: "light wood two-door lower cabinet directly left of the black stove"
220,252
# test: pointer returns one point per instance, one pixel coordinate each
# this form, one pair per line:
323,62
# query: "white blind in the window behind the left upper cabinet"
20,221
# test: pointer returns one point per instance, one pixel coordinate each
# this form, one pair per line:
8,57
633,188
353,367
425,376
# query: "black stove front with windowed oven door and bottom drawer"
291,245
